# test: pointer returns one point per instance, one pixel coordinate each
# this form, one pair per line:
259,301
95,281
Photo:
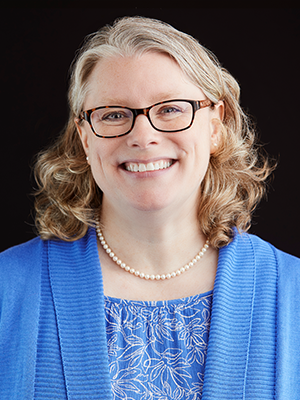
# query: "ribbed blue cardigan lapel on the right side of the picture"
241,351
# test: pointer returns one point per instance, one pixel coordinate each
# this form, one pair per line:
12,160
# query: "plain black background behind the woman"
259,46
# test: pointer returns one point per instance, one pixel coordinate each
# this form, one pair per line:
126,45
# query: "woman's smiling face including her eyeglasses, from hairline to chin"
145,169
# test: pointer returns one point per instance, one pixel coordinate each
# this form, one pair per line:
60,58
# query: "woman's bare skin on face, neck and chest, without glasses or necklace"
156,209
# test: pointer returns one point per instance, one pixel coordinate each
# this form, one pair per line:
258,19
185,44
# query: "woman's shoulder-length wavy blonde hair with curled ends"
67,196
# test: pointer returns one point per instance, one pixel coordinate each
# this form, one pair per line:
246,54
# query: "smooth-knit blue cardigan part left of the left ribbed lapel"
20,274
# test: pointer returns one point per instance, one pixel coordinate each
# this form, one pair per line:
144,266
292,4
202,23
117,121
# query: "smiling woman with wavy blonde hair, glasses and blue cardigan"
142,208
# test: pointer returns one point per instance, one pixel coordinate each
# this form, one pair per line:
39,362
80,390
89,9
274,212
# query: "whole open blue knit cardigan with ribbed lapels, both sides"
254,345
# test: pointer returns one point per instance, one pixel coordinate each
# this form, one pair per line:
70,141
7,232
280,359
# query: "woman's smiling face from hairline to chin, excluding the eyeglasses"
138,83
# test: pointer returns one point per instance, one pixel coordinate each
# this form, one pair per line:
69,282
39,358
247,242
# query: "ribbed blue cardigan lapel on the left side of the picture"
77,288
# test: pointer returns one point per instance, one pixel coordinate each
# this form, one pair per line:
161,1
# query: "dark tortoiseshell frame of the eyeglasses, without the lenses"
196,105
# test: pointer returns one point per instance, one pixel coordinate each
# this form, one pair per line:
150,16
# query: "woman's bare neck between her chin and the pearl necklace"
155,241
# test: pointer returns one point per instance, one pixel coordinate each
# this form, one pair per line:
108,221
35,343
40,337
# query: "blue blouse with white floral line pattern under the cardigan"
157,349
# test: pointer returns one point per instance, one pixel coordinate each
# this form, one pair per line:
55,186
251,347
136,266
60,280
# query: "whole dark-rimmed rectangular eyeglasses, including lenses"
166,116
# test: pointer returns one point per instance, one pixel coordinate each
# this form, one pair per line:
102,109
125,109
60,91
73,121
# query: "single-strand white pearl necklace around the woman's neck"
141,275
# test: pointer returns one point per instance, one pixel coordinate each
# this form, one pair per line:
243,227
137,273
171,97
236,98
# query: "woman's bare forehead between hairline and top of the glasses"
138,81
